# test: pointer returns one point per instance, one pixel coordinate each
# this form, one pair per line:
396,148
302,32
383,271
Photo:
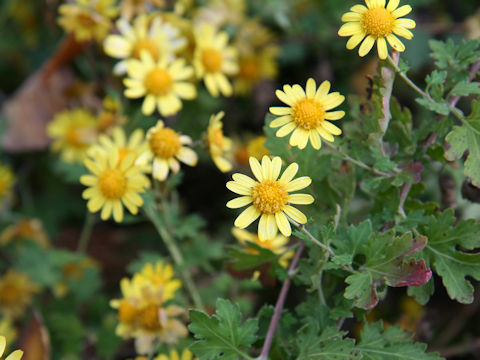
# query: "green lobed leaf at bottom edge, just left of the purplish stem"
224,334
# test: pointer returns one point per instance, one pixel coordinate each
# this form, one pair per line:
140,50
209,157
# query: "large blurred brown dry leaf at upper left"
41,96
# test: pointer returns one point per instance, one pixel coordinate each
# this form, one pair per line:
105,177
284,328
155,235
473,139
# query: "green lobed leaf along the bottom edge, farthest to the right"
377,343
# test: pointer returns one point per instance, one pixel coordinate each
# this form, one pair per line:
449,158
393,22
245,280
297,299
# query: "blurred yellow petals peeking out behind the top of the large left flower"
135,144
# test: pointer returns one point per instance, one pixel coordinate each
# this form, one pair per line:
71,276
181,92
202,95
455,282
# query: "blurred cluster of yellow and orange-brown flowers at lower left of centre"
145,311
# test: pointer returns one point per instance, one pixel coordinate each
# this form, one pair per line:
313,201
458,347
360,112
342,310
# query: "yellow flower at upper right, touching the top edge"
375,22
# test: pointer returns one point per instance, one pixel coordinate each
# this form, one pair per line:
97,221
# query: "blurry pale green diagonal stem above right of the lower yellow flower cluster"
176,255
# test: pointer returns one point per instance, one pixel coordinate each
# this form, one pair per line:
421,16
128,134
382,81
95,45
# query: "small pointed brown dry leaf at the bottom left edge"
35,340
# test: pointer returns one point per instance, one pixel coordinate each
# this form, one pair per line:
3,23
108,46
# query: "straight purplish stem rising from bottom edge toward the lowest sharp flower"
279,305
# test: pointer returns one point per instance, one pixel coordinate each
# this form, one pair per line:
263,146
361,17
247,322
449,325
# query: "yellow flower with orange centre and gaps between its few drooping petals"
166,147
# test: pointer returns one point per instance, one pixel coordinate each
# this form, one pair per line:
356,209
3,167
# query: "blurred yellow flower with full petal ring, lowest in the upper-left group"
161,82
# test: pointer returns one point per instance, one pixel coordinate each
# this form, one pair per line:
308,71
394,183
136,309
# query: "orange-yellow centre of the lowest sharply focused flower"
269,196
